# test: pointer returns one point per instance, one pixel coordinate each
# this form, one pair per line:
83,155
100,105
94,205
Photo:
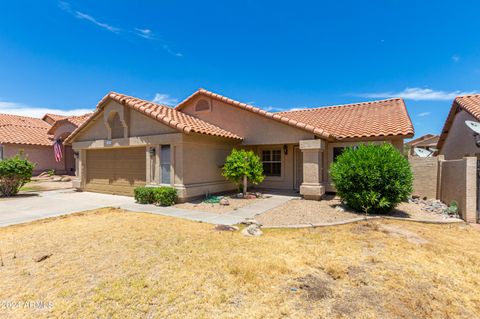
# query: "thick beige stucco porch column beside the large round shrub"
312,186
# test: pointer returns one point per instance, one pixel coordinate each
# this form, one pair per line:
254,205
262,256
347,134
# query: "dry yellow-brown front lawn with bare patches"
113,264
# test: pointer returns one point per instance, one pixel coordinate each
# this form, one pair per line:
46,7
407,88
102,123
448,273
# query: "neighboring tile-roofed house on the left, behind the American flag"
35,137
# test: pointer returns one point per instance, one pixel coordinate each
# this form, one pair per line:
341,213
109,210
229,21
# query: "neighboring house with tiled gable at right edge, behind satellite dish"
457,140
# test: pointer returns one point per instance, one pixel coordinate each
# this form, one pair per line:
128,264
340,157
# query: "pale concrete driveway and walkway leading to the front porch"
42,205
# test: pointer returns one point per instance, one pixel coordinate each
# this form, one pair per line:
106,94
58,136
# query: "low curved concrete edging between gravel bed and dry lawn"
356,220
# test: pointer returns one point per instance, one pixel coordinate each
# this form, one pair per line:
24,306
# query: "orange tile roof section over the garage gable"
162,113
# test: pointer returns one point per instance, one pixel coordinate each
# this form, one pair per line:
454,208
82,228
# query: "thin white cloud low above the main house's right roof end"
418,94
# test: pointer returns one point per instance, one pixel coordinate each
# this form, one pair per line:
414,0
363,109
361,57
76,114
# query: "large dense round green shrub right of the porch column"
372,178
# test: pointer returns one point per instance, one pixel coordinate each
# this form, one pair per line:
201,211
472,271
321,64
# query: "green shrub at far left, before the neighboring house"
14,173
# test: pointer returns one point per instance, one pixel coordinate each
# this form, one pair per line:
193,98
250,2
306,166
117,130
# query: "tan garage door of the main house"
115,171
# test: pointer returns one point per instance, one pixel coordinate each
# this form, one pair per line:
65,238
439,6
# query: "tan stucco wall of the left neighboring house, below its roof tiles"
42,156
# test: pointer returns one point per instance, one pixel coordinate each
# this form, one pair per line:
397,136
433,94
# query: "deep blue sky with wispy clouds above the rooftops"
66,55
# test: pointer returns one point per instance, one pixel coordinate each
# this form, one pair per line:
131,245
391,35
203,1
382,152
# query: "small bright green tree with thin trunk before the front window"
242,167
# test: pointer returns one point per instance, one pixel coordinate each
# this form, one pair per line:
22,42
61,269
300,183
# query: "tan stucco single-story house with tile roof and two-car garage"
129,142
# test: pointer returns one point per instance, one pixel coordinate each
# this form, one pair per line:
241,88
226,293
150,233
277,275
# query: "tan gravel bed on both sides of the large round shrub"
331,210
